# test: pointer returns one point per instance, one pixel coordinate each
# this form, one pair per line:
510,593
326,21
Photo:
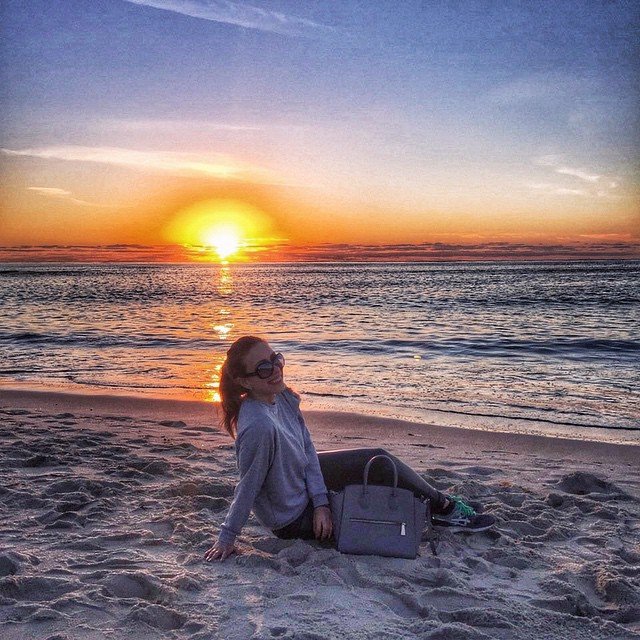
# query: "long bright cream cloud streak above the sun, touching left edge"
182,164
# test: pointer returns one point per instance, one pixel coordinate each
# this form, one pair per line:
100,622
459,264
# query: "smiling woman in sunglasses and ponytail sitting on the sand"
282,478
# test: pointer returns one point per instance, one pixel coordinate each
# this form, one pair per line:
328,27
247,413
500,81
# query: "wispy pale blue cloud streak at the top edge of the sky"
241,15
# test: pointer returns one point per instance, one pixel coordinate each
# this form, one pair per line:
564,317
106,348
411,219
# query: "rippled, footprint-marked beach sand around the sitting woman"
107,505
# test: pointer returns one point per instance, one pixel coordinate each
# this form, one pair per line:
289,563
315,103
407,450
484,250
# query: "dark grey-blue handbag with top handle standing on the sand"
378,520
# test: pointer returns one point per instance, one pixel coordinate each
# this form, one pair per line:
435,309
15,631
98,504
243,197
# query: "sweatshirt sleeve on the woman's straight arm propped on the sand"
255,447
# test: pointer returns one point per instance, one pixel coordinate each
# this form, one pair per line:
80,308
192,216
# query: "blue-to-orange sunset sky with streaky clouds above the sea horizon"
395,128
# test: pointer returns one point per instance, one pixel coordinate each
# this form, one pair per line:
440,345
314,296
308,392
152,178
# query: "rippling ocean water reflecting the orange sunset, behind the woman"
549,348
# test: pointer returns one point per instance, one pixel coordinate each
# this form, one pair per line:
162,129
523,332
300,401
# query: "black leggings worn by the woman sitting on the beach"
346,466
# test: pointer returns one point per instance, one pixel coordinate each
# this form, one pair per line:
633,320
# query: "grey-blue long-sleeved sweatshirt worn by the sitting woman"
278,465
